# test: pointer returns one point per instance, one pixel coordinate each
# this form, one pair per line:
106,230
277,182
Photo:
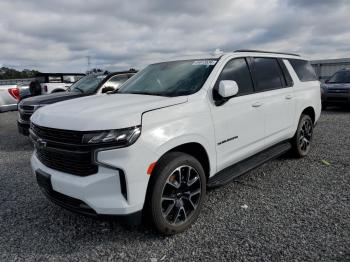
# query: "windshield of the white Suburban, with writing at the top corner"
175,78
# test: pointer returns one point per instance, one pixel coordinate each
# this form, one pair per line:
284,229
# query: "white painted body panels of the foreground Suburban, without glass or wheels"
260,120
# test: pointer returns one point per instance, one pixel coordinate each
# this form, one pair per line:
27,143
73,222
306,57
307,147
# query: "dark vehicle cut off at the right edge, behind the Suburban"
336,90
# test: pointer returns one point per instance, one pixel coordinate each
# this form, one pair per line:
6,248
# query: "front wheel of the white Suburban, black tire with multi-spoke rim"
184,204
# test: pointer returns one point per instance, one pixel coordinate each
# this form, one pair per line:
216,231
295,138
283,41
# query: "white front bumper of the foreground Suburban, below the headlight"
118,188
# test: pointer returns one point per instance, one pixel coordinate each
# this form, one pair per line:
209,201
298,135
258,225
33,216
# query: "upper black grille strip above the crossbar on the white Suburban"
58,135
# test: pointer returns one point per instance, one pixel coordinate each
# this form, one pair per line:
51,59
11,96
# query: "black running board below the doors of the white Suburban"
228,174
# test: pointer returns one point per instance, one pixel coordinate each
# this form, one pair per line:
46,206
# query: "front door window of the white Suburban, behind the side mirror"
236,70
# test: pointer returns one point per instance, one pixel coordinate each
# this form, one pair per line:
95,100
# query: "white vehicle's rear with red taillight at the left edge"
9,97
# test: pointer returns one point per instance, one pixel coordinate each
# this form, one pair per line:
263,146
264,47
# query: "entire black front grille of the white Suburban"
59,151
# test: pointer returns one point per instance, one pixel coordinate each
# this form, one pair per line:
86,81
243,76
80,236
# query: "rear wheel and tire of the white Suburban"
301,141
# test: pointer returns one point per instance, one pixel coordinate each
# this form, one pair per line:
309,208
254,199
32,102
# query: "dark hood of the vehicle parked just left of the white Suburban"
51,98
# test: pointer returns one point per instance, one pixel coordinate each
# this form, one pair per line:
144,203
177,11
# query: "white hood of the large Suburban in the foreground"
101,112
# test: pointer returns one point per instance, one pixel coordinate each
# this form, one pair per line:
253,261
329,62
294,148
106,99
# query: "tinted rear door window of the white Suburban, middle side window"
267,74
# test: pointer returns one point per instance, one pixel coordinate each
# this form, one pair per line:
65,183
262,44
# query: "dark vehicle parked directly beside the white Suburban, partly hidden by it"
86,86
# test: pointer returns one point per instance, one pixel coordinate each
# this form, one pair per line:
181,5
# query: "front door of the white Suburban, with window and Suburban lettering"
239,123
